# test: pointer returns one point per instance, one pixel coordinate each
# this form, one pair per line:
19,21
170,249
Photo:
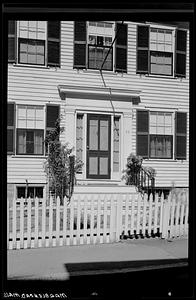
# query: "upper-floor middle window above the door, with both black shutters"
93,43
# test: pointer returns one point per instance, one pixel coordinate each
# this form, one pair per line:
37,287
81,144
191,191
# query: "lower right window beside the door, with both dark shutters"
155,134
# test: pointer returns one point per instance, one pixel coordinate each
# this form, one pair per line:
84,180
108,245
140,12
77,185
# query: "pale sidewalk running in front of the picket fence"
59,263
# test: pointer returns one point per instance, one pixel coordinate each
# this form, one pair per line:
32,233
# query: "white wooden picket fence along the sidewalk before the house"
94,218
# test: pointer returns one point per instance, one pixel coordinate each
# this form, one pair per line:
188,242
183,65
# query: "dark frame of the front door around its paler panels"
98,153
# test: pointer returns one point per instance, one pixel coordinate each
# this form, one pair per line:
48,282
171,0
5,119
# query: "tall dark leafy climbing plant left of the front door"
57,165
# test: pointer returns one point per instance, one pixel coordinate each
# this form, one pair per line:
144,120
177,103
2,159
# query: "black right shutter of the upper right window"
180,53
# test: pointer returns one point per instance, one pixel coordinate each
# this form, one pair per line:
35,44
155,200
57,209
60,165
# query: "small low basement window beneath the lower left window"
30,191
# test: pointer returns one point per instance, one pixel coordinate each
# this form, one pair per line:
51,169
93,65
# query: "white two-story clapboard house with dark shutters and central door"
121,88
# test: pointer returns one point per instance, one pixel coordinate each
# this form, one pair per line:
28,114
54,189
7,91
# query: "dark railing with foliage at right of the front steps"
142,180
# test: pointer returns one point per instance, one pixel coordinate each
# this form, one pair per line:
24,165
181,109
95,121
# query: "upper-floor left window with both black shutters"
34,42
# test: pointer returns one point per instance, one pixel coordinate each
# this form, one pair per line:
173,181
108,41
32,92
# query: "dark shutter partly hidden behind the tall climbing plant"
52,114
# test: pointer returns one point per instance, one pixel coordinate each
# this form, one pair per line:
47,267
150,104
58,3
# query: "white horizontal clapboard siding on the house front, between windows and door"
39,85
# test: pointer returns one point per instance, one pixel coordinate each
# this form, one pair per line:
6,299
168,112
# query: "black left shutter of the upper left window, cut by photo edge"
11,41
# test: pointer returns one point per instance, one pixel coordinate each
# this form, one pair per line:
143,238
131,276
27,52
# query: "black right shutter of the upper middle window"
121,48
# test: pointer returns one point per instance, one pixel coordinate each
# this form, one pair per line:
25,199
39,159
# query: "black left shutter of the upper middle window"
79,45
